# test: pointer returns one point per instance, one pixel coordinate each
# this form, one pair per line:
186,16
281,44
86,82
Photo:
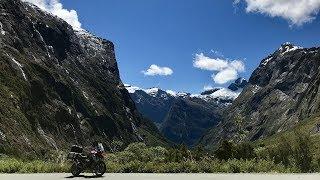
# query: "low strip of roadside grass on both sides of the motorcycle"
9,165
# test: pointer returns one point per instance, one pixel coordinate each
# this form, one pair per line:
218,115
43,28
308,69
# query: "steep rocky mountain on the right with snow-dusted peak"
282,92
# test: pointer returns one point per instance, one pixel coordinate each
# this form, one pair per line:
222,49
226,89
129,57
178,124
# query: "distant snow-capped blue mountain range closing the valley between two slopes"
183,117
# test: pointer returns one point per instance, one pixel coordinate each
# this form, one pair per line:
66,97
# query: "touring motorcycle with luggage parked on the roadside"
92,162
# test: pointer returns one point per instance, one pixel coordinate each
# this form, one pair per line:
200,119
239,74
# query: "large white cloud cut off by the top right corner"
297,12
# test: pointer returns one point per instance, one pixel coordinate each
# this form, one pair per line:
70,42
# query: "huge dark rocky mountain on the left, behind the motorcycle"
60,87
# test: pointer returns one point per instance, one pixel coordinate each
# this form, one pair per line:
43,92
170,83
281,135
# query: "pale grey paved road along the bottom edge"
165,176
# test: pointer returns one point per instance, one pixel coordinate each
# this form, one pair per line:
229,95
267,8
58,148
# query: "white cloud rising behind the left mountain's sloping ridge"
56,8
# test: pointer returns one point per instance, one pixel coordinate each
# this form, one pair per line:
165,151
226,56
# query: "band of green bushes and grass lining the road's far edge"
288,155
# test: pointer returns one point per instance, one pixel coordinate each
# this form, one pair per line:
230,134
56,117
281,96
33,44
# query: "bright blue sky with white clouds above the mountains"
189,45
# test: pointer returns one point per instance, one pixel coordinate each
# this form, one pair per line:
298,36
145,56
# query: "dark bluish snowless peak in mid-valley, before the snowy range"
188,118
